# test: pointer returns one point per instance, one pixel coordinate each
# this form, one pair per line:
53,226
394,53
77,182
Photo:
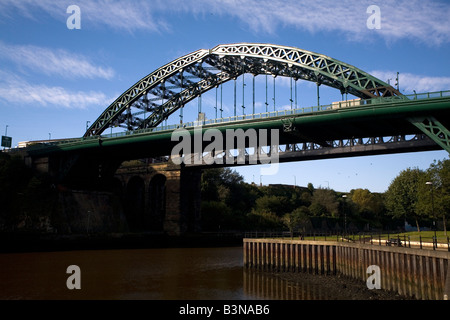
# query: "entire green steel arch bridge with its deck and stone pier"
378,120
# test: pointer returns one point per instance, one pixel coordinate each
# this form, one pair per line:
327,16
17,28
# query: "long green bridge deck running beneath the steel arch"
378,117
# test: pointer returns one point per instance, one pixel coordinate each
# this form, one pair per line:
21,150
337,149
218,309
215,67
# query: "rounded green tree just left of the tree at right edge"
402,195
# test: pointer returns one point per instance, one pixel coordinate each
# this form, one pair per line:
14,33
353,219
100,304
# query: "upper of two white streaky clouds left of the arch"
53,62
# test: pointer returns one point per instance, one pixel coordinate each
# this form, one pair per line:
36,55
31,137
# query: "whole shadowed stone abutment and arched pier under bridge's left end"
151,195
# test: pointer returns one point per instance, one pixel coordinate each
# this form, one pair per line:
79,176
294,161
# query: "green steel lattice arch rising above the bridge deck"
156,96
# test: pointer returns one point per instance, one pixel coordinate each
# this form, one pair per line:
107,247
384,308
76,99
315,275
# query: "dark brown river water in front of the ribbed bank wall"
174,273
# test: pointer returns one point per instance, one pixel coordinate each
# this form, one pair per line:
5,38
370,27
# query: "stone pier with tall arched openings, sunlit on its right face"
160,197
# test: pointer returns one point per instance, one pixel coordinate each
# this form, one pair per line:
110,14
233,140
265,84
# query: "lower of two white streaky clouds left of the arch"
12,87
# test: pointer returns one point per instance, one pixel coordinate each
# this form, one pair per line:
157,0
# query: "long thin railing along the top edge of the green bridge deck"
273,114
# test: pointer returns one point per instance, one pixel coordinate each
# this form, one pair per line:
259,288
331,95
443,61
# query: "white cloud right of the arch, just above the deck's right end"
409,82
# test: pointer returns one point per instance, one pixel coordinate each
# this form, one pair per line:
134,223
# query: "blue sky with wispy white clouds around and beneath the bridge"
60,68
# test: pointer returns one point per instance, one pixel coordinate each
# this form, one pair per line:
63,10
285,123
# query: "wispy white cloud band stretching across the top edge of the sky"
416,20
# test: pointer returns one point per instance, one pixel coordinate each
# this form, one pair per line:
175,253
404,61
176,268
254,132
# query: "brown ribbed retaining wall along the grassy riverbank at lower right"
423,274
